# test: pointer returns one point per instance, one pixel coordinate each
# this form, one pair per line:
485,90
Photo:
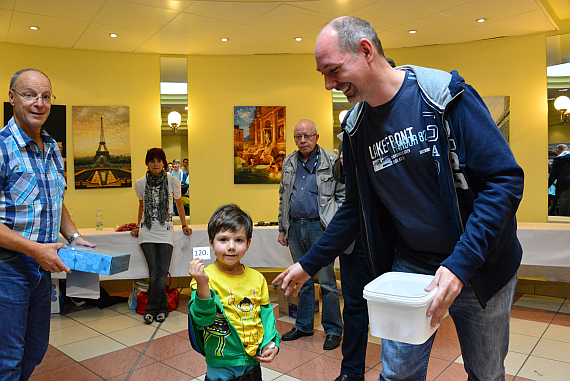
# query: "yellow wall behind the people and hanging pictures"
512,66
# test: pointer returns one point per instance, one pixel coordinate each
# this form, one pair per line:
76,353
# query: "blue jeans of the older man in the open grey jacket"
301,237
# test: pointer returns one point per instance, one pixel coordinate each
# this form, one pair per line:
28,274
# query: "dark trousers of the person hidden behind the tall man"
354,275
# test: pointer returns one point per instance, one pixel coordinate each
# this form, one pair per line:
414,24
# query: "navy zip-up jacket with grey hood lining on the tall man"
481,186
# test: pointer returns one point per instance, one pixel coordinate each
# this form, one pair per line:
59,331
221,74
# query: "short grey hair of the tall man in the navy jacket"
351,30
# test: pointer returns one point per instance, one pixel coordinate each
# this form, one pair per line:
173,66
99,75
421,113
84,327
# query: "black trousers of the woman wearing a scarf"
158,257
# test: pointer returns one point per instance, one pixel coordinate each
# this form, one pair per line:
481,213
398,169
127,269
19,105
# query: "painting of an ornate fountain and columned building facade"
259,144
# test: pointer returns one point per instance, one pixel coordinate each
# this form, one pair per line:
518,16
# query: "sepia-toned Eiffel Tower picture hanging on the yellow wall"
101,146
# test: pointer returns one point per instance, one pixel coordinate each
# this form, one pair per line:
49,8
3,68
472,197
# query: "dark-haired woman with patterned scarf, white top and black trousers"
157,192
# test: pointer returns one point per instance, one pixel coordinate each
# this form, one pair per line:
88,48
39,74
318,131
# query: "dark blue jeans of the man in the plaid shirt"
25,290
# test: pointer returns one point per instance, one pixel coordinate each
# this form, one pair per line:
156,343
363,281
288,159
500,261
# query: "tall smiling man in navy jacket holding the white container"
432,187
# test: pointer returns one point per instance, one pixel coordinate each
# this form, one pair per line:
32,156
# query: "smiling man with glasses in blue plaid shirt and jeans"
32,213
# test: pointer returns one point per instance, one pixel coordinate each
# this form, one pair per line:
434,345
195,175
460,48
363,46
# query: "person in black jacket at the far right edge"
560,172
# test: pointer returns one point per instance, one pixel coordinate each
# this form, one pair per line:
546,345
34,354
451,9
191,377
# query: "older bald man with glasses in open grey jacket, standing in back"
309,197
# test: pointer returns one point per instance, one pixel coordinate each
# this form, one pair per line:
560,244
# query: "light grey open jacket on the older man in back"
331,192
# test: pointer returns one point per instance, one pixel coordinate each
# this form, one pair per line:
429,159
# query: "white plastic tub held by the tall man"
397,306
